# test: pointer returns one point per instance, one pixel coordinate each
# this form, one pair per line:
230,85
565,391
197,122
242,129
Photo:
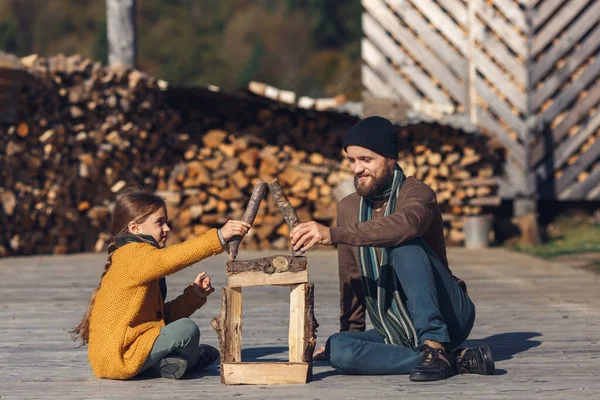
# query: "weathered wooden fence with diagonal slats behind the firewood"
525,71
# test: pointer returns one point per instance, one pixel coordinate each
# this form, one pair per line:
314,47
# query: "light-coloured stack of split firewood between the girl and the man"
216,181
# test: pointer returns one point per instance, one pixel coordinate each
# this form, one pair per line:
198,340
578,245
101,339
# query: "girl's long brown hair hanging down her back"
134,204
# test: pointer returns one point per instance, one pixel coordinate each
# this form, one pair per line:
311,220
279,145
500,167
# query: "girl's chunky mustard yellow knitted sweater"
129,310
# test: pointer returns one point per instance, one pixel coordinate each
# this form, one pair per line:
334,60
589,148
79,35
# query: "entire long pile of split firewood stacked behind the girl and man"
85,131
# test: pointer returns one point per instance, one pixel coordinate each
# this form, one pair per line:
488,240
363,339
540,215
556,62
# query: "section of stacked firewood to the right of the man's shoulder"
461,169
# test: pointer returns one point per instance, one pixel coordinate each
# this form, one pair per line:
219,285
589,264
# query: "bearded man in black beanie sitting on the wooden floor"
393,265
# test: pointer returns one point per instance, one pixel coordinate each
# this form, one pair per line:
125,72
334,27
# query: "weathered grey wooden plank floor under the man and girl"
541,319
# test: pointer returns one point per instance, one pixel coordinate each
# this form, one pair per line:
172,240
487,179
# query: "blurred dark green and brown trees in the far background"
309,46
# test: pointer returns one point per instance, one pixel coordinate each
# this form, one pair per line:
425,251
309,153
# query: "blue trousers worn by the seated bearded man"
438,307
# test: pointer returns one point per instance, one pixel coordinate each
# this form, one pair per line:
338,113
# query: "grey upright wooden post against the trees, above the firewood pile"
121,29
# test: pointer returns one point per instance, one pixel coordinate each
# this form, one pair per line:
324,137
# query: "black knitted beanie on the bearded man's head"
376,134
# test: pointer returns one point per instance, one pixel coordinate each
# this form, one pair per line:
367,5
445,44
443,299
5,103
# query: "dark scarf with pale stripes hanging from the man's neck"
382,290
